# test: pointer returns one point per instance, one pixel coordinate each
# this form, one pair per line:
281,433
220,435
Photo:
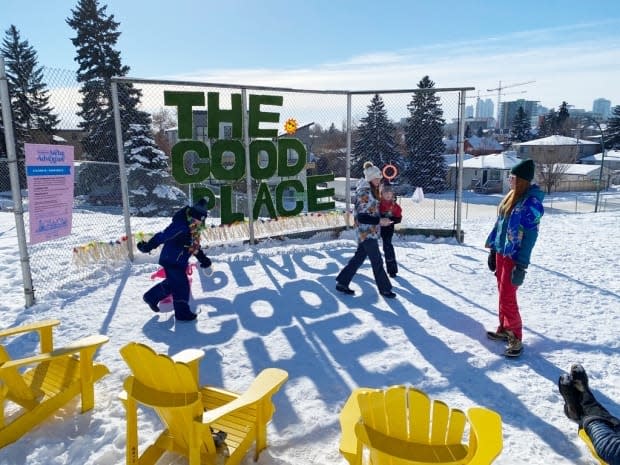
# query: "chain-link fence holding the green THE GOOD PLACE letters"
336,130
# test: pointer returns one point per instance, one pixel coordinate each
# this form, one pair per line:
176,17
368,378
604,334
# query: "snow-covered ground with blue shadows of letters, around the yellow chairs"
275,305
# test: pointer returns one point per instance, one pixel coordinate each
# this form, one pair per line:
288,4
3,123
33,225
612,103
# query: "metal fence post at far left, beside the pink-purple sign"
18,209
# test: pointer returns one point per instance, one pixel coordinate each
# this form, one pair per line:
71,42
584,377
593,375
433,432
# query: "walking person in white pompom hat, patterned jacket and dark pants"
367,224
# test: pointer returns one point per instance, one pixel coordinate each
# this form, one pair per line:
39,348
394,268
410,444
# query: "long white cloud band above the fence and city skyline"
565,66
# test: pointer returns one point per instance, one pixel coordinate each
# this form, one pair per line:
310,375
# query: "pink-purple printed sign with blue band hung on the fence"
49,171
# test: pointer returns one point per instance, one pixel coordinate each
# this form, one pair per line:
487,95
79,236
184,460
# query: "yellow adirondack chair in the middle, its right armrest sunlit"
192,413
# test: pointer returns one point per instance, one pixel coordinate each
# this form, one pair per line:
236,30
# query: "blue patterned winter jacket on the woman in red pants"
514,236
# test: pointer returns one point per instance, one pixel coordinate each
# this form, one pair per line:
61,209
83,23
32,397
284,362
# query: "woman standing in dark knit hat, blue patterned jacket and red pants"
511,242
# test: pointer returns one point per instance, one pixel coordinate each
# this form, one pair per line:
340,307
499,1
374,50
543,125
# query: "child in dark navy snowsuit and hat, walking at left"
181,240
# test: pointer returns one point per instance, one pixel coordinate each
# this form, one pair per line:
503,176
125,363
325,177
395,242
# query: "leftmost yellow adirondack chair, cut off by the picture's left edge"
56,377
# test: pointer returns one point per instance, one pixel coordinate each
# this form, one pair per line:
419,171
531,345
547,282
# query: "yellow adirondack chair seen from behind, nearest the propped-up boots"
402,426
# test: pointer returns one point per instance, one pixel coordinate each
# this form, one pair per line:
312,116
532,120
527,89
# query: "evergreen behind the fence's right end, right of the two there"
424,140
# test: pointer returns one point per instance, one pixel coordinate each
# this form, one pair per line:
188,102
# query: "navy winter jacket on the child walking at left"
178,242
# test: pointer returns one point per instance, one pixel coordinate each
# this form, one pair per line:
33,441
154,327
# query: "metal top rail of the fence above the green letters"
284,89
